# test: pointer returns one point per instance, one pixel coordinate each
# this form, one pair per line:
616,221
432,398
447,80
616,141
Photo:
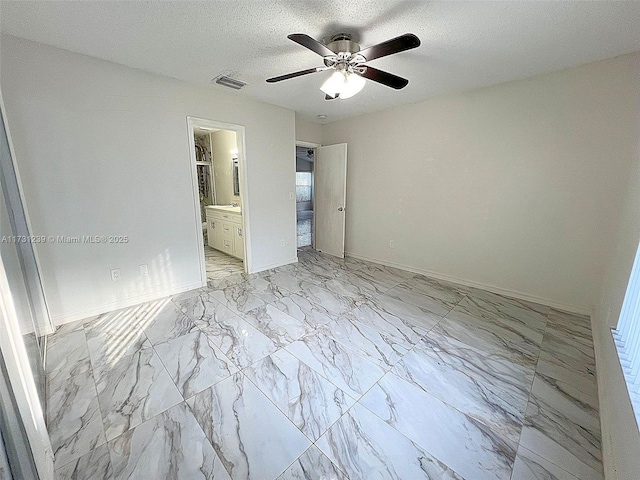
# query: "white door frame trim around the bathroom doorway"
192,123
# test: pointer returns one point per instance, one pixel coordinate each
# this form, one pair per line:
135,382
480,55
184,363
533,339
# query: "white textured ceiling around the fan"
465,45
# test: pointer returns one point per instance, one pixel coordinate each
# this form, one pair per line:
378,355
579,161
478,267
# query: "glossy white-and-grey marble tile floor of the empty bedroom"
326,369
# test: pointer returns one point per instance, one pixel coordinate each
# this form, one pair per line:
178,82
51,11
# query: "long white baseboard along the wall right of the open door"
483,286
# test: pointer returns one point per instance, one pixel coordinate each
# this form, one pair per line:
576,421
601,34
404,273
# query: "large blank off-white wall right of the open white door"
515,187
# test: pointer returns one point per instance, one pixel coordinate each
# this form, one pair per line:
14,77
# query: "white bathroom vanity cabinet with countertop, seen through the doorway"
224,230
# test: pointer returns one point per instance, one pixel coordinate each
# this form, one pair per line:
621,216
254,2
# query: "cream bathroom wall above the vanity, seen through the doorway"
223,143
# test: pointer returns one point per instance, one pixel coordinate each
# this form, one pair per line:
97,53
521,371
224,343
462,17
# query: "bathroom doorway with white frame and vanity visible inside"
220,200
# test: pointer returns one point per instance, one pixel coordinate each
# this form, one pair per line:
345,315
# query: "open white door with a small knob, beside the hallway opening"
330,180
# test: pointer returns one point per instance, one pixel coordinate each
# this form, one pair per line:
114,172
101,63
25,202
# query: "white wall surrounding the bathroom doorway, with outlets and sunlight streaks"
103,150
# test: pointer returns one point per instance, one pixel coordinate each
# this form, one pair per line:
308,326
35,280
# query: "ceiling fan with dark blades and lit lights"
347,59
